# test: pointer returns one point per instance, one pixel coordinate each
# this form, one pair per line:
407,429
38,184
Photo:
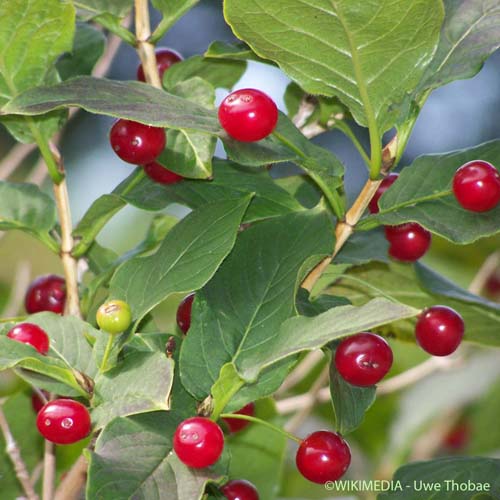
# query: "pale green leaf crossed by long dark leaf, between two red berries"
190,153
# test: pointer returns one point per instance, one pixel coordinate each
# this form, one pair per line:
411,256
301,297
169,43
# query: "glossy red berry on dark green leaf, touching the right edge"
476,186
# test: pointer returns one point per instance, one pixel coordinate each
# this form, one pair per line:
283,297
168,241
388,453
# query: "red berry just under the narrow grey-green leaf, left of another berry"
363,359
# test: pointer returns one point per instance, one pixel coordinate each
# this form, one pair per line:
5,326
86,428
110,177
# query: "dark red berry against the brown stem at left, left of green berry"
46,293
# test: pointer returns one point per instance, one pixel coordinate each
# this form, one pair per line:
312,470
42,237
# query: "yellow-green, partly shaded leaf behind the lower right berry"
421,288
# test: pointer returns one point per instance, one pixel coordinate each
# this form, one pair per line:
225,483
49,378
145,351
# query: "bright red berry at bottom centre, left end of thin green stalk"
198,442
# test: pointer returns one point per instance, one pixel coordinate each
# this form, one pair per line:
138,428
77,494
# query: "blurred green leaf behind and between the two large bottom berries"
258,452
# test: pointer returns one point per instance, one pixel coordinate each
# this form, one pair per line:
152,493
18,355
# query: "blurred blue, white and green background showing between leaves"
459,115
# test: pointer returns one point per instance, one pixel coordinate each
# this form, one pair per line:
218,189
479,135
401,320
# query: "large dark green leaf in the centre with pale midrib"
239,311
